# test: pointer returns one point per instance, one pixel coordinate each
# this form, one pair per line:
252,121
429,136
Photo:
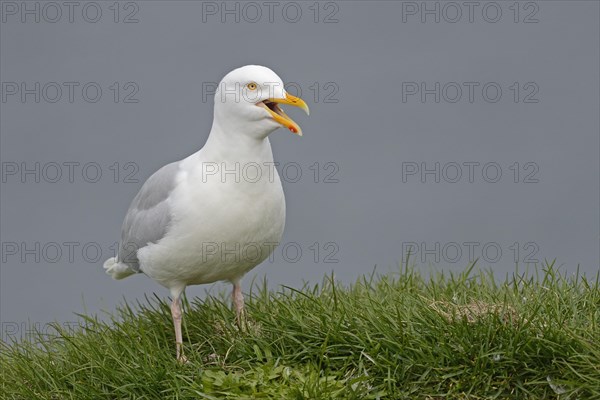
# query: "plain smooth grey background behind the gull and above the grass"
368,133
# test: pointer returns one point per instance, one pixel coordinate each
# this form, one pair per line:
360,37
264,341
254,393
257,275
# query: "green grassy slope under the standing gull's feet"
535,335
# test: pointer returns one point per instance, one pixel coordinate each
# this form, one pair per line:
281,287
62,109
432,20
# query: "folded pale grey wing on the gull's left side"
148,217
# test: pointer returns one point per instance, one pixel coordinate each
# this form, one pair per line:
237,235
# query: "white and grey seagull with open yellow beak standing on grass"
220,212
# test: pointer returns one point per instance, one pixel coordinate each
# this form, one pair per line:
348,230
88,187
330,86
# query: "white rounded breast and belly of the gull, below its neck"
222,226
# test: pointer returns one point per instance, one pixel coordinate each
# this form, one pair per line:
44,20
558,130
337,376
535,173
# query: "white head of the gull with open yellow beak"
248,101
